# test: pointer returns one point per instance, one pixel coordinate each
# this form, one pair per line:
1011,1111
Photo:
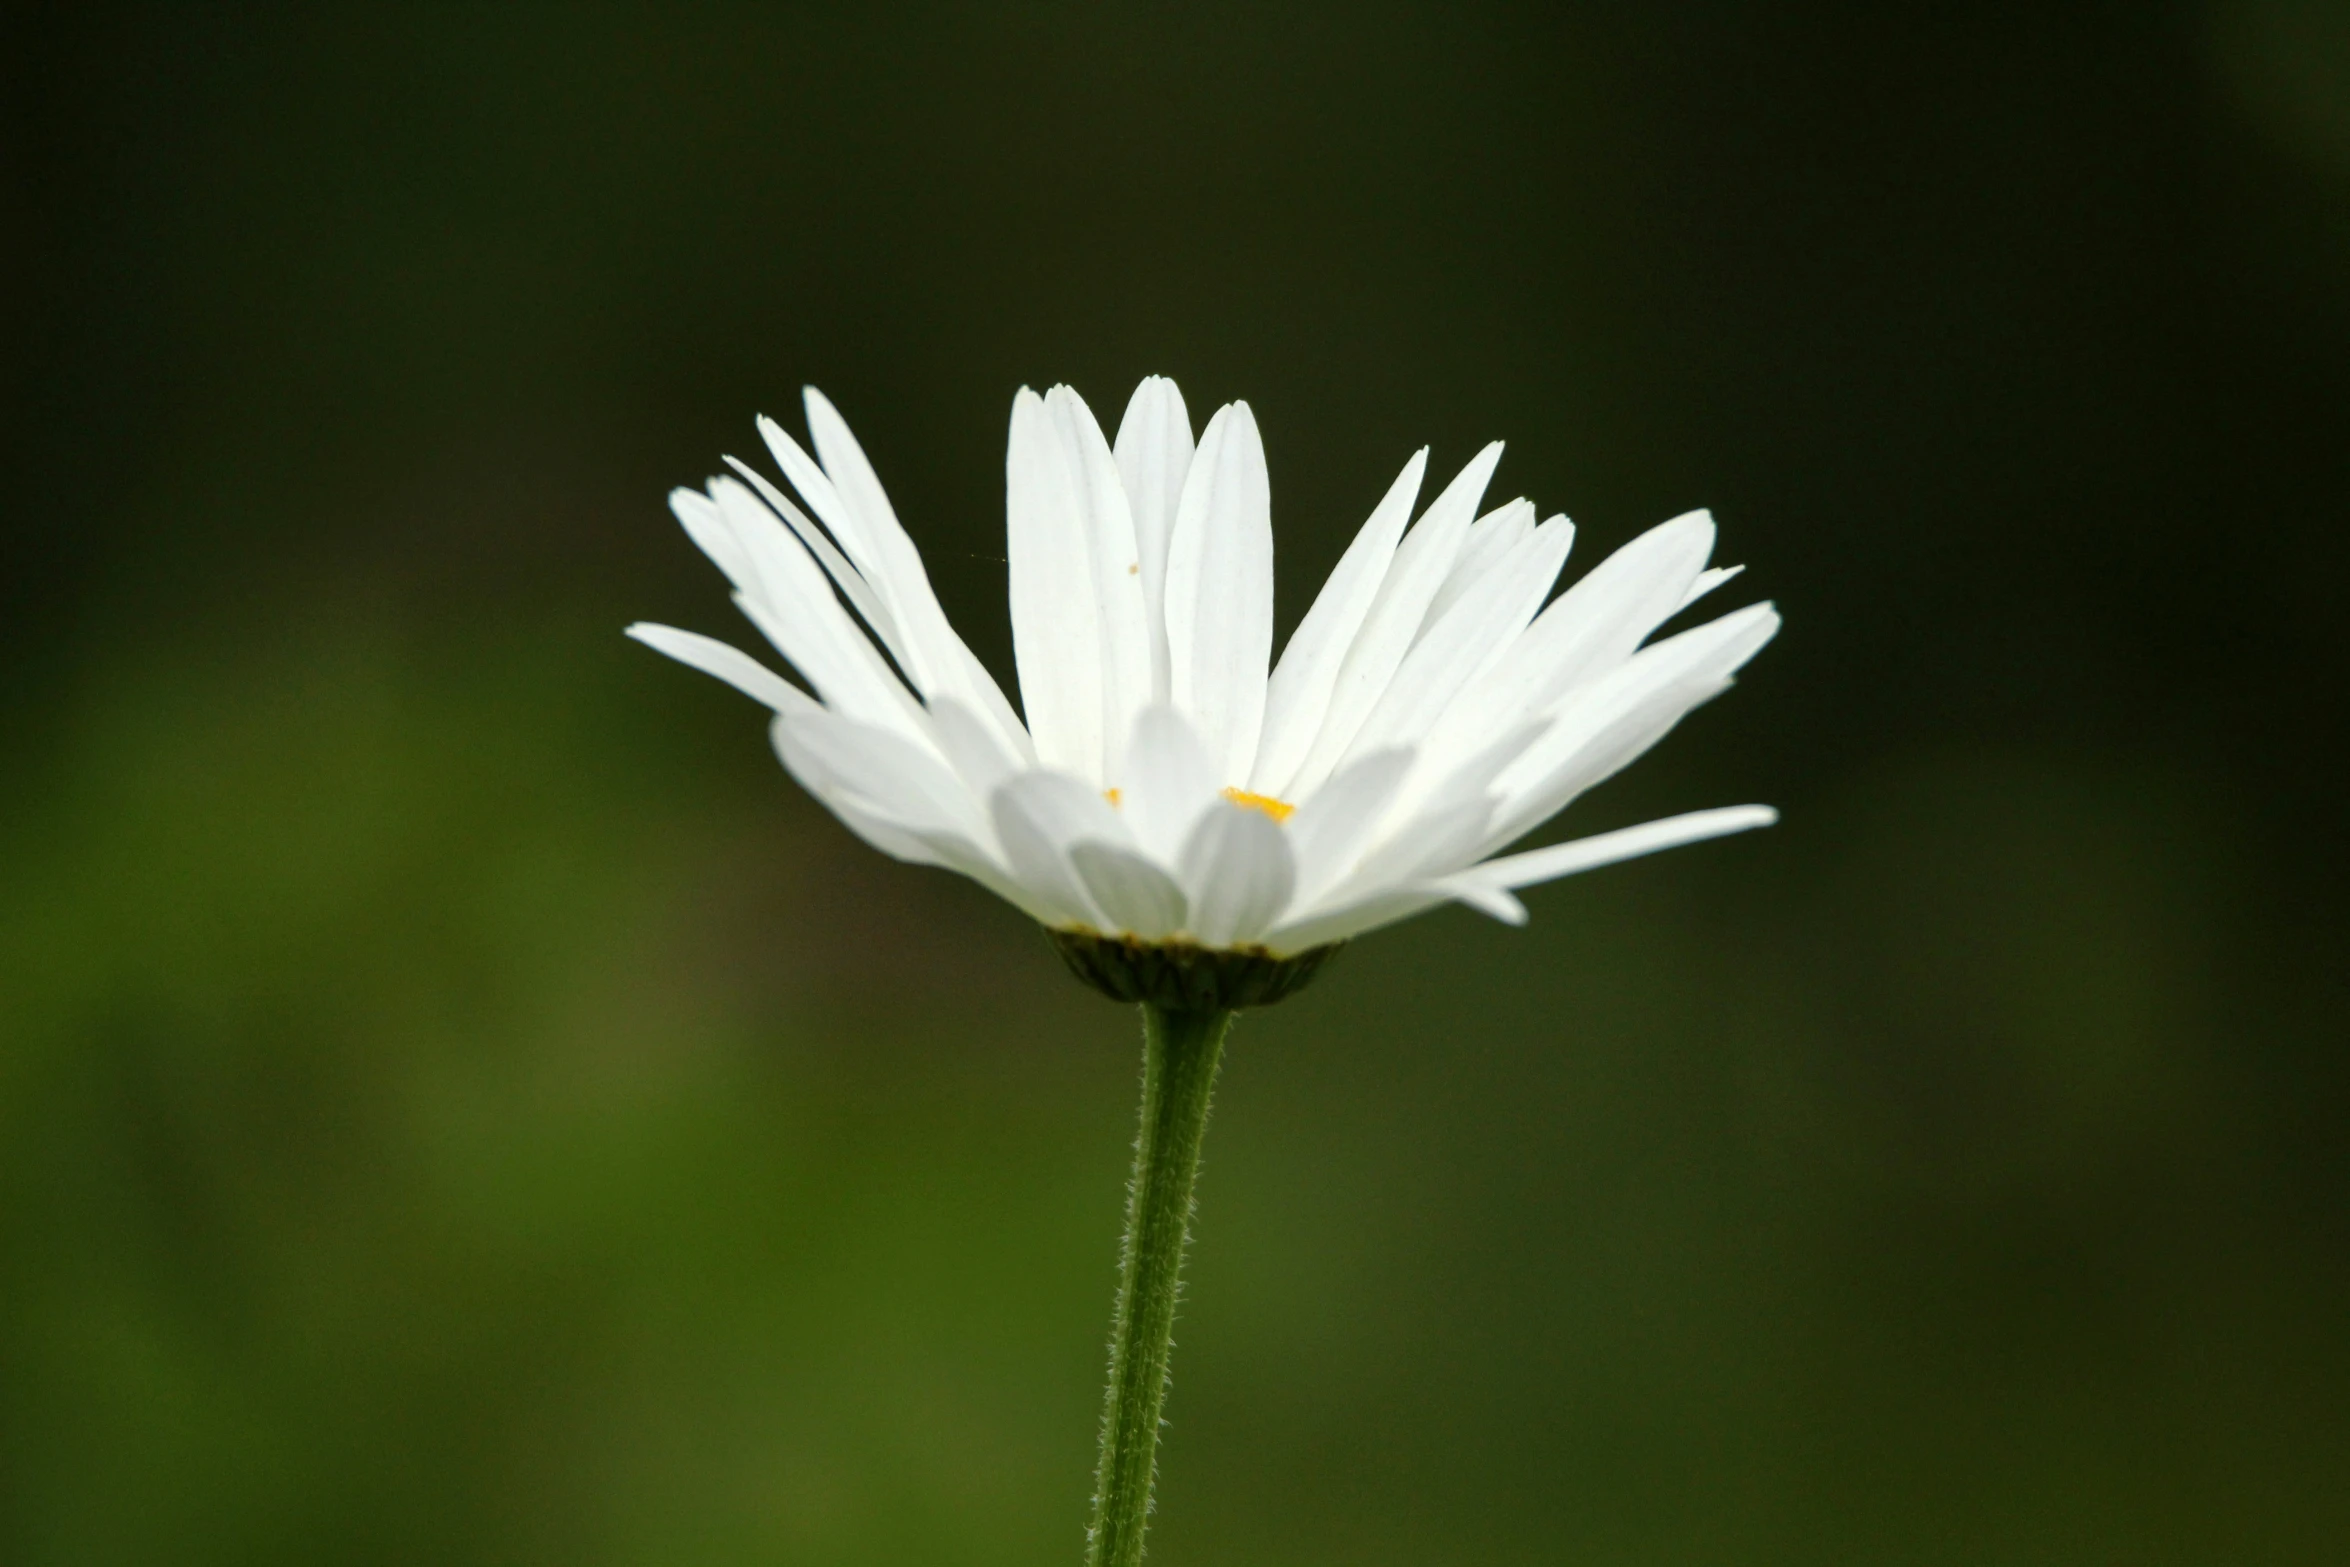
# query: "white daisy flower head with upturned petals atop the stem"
1167,788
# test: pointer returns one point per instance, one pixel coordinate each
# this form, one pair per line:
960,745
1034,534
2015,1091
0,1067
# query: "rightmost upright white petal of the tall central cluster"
1221,591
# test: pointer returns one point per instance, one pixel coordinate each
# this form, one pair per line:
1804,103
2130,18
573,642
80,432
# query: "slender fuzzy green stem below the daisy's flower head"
1181,1054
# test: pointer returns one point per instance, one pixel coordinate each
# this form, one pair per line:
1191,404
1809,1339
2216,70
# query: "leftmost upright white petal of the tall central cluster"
1056,621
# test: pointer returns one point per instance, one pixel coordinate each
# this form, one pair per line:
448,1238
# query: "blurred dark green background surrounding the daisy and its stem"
459,1103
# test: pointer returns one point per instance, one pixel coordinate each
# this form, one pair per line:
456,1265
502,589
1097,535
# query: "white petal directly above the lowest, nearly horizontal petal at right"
1609,725
